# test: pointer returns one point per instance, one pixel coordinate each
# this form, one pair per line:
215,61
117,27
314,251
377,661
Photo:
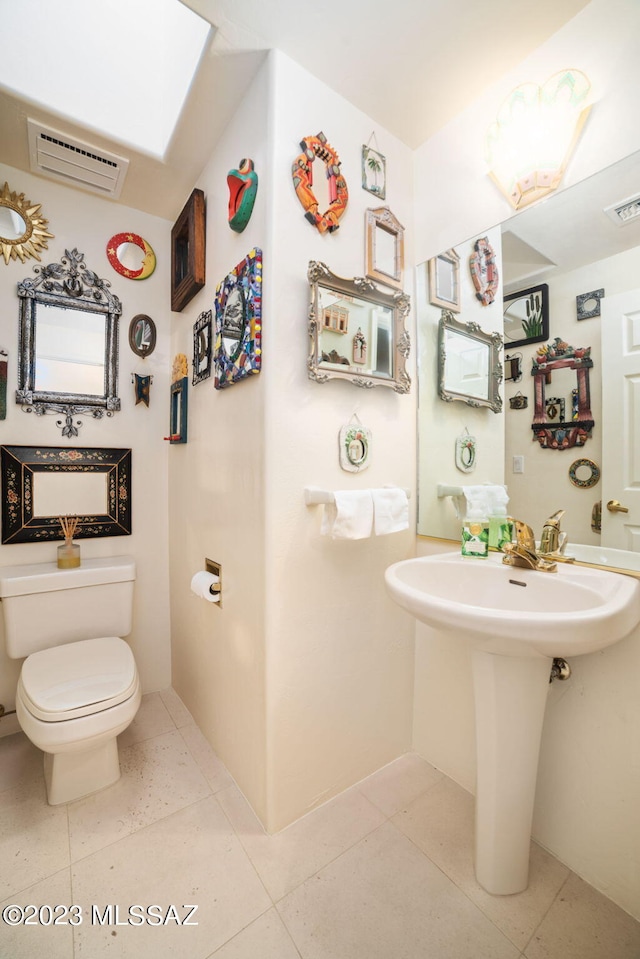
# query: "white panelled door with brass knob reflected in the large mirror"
621,419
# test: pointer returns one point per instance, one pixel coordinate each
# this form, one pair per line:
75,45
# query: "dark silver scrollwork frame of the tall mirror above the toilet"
68,285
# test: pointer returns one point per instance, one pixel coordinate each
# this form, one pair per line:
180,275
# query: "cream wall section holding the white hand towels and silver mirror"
339,653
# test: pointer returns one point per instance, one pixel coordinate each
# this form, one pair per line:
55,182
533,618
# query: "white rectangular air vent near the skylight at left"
71,161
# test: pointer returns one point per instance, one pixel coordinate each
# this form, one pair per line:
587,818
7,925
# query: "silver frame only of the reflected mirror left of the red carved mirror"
493,344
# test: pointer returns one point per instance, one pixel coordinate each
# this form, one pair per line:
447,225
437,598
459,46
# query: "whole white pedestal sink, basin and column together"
518,620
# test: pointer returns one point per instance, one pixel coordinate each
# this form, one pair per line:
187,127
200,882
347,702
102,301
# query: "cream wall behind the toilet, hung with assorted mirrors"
81,220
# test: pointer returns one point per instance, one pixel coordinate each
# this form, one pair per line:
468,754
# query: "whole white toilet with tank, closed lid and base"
79,686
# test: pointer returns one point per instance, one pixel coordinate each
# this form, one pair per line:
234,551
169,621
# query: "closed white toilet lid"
79,678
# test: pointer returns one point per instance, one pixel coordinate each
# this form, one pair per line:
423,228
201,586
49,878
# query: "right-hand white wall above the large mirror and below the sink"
589,791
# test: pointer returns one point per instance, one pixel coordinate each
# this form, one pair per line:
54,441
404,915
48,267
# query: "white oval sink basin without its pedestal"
514,611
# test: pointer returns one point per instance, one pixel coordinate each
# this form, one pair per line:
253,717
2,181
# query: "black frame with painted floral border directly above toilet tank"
20,463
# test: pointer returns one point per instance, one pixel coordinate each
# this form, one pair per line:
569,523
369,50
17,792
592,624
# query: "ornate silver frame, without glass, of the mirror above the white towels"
359,288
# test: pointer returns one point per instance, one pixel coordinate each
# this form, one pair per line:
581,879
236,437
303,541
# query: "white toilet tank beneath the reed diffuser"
44,606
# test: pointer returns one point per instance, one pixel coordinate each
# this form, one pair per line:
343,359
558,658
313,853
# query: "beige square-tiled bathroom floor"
383,871
